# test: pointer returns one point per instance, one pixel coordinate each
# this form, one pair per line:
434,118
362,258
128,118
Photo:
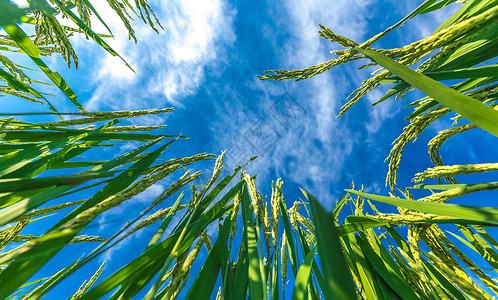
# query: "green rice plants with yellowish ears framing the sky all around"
364,253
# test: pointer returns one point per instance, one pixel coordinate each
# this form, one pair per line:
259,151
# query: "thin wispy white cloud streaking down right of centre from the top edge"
323,165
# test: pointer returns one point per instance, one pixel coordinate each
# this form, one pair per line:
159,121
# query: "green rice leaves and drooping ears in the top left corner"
52,37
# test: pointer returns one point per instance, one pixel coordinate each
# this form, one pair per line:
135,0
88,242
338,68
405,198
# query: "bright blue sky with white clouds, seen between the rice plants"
205,64
